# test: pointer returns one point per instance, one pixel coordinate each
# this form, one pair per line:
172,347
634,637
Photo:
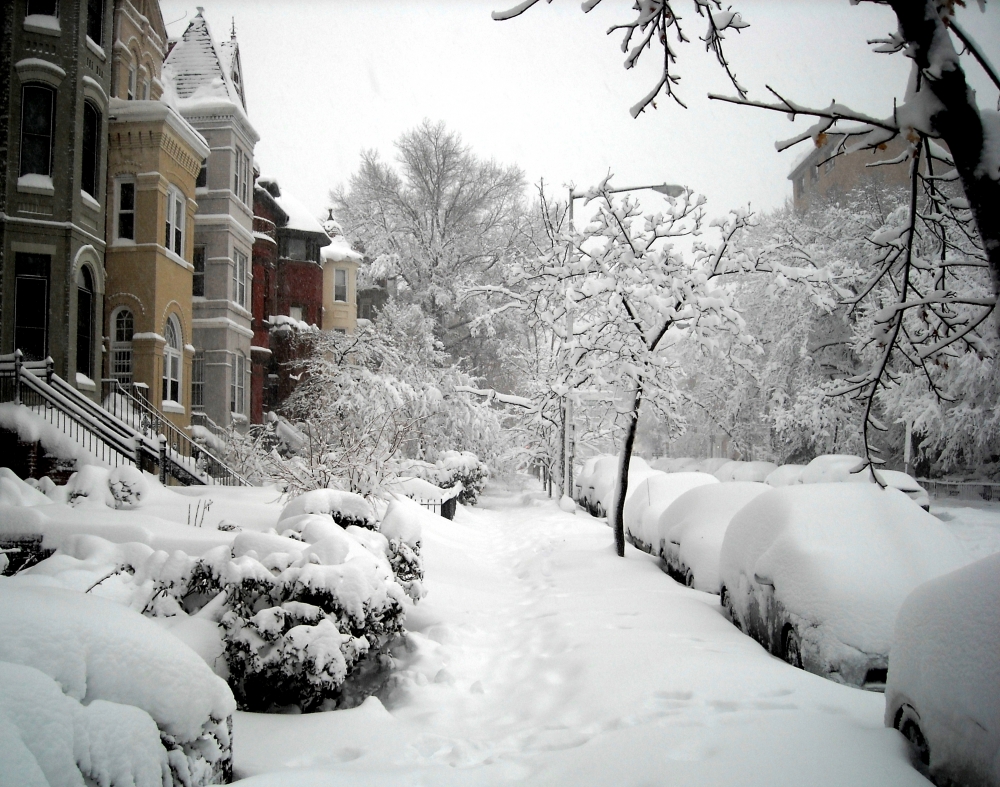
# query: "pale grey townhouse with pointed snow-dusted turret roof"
205,81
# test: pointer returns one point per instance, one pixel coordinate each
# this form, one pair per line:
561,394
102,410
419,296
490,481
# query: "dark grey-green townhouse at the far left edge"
56,78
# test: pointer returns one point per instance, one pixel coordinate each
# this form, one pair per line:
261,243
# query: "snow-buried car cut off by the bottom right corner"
943,692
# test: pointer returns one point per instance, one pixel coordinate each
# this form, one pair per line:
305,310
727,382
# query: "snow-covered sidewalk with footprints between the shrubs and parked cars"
540,657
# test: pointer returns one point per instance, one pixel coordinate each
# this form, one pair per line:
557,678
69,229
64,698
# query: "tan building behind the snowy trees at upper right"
817,178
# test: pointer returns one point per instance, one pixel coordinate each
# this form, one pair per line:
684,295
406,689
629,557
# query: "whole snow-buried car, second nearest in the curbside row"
817,573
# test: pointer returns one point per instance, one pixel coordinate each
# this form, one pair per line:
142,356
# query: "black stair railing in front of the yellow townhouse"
184,454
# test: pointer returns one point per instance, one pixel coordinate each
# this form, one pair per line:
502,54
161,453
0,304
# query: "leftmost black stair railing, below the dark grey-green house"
20,384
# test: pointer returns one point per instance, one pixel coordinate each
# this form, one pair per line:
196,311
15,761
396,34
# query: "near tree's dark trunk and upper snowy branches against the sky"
937,103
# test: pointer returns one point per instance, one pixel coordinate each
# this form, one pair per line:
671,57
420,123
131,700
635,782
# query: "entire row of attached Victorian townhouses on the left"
135,245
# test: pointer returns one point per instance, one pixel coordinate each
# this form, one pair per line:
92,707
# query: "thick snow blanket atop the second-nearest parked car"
840,556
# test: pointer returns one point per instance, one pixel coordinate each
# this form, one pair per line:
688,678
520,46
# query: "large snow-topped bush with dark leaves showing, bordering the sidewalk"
303,624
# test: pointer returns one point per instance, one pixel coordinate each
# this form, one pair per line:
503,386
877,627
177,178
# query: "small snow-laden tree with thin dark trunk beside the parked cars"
621,294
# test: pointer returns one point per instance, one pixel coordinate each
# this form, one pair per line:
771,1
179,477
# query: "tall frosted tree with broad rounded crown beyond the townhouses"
438,220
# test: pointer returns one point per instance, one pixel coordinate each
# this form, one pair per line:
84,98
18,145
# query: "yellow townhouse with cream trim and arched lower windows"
154,159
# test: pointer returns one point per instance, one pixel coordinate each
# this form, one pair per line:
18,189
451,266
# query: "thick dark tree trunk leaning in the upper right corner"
959,124
